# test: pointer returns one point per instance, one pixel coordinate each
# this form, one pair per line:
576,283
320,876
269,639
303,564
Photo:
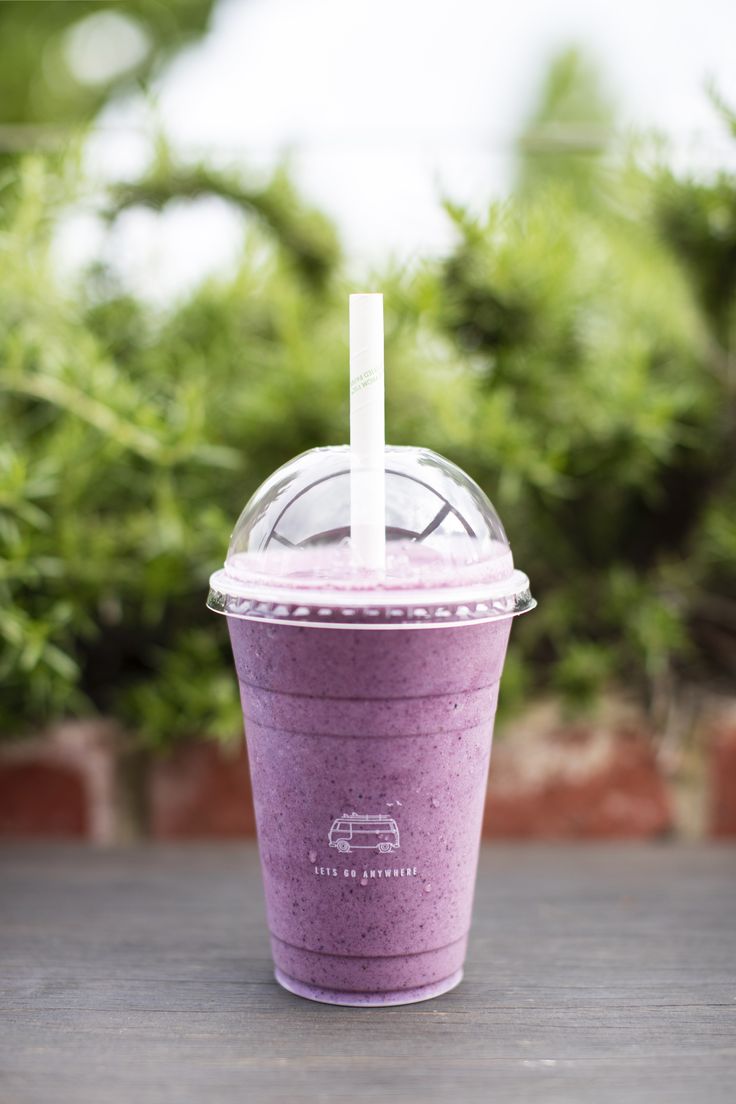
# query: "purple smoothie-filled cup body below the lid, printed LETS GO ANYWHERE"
369,753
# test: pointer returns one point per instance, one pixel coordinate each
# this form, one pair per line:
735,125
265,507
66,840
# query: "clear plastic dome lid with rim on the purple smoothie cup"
449,558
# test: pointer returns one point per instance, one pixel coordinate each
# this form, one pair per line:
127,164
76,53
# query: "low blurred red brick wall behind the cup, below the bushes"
612,778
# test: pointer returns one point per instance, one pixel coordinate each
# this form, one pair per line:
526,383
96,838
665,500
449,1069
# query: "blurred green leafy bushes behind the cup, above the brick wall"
574,353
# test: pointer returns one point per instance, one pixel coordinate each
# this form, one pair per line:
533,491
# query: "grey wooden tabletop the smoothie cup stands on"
595,974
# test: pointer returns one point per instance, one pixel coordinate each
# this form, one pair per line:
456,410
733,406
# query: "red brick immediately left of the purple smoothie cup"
199,791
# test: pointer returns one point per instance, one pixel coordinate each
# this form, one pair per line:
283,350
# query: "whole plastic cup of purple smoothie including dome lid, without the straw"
369,703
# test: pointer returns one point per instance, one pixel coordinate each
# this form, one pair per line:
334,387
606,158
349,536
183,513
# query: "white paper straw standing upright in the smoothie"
368,507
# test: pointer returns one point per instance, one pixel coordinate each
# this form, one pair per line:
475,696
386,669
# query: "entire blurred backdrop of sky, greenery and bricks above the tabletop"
547,196
